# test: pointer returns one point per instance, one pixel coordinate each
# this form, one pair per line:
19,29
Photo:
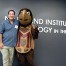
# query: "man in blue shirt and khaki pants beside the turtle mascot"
8,38
